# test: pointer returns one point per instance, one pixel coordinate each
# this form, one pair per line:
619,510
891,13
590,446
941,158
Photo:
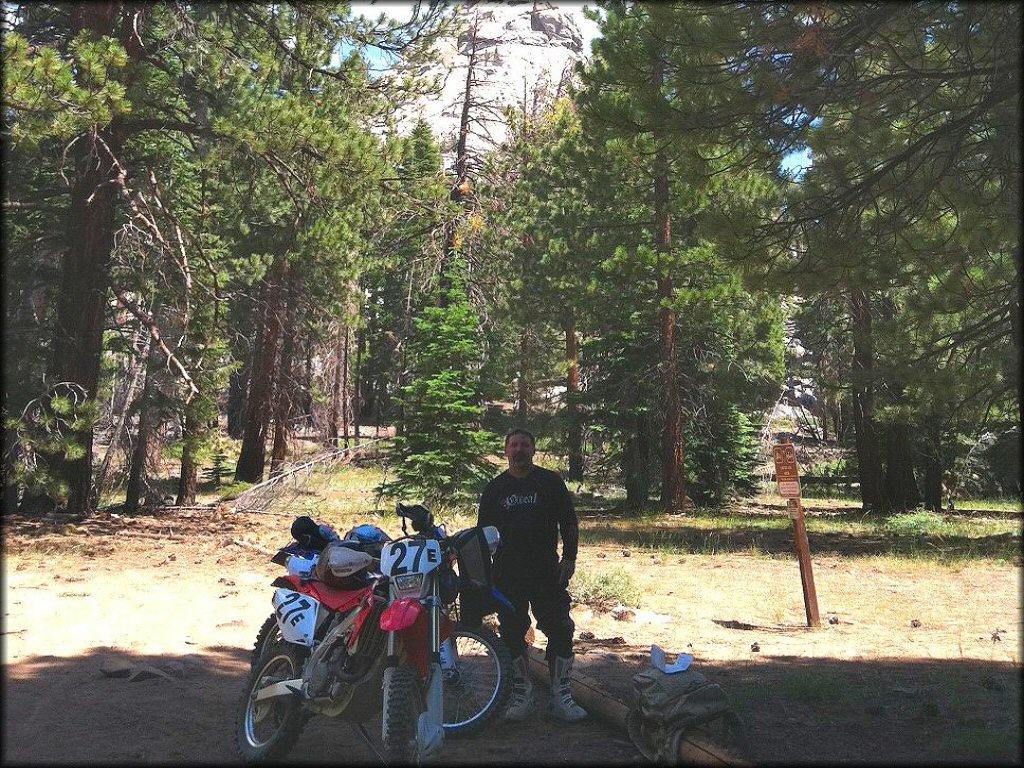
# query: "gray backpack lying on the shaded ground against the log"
669,706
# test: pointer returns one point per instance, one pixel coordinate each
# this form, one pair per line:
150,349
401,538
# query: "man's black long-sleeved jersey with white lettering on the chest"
529,514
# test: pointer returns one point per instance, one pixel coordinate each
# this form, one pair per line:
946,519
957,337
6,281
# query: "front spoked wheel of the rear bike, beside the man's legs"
477,690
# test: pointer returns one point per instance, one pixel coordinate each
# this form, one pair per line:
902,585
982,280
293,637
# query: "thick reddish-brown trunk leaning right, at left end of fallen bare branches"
252,456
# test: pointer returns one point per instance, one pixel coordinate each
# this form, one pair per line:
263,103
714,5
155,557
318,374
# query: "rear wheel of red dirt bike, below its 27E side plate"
267,731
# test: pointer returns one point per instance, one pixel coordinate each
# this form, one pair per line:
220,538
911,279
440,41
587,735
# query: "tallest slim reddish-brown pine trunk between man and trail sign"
673,445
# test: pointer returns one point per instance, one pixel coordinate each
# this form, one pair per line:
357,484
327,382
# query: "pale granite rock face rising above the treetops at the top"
525,55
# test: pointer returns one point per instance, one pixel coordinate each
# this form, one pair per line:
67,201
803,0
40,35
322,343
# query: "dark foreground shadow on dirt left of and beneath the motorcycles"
67,711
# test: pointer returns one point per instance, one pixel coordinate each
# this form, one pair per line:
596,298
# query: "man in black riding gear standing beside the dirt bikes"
531,506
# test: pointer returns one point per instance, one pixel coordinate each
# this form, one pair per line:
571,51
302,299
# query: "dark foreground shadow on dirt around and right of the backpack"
827,711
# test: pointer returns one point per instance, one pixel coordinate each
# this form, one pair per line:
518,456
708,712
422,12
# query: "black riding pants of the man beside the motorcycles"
550,604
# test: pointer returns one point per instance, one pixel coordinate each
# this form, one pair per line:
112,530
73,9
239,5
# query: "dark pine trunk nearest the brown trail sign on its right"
866,436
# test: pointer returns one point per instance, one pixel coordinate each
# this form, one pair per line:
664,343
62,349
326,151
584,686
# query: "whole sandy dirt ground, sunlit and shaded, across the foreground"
922,664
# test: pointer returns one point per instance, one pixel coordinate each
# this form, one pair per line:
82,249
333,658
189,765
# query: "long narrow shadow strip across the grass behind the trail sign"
692,539
